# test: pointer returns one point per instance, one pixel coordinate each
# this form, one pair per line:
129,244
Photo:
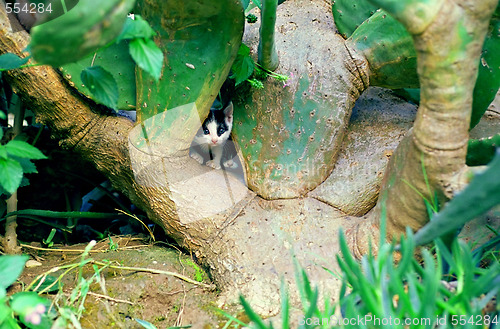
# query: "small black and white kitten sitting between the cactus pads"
212,137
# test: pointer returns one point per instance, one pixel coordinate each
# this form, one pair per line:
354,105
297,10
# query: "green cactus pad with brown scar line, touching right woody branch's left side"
389,49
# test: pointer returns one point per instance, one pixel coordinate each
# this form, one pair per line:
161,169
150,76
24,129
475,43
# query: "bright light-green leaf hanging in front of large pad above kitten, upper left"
147,55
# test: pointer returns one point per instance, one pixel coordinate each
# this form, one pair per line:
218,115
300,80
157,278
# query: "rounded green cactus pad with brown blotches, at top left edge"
90,25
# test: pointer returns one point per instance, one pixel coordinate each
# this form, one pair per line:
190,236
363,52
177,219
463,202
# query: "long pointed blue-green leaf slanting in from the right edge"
479,196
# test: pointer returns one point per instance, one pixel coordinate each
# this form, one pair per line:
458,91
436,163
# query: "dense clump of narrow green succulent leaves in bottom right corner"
412,294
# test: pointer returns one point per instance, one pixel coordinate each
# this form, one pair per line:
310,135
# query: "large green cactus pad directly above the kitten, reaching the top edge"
200,39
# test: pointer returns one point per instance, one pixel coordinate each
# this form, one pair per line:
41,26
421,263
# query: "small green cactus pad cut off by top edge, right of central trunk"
349,14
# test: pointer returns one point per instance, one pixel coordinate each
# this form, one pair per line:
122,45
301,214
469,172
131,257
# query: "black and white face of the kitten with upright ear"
216,128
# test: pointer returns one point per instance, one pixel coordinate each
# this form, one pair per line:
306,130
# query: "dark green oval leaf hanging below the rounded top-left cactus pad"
102,85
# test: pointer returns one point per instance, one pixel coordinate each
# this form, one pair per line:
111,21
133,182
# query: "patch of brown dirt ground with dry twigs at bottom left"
125,295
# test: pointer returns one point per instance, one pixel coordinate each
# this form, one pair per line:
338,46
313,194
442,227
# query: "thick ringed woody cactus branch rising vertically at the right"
448,38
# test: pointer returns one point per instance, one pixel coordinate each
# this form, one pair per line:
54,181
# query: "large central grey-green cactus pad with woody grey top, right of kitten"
289,133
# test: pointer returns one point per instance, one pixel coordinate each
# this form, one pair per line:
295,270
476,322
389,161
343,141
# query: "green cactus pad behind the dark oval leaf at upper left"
114,59
